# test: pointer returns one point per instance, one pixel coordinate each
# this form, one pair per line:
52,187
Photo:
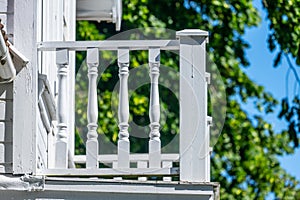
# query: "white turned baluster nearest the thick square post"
154,110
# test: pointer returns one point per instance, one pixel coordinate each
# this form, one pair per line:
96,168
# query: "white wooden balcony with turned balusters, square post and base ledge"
55,172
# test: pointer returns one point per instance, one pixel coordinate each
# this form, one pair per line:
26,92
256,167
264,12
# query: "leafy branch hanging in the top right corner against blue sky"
284,40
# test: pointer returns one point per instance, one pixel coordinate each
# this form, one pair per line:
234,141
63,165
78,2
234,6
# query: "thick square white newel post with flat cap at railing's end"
194,135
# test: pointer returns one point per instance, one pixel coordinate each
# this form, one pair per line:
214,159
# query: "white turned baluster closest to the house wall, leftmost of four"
61,152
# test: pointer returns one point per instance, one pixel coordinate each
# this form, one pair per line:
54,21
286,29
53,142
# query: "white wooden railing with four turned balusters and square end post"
194,124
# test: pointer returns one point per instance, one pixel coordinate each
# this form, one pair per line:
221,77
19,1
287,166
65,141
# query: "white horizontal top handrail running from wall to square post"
110,45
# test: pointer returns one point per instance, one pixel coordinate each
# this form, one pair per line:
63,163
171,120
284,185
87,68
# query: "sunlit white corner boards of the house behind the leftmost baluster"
58,23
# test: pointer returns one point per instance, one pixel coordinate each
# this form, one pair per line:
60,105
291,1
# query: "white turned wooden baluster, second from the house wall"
92,110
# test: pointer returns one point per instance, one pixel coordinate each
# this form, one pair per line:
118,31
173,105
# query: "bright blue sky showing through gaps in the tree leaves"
273,79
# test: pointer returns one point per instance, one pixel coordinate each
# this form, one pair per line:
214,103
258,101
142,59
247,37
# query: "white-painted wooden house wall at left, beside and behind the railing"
26,23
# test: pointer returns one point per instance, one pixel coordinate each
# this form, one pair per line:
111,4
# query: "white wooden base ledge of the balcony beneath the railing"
58,188
